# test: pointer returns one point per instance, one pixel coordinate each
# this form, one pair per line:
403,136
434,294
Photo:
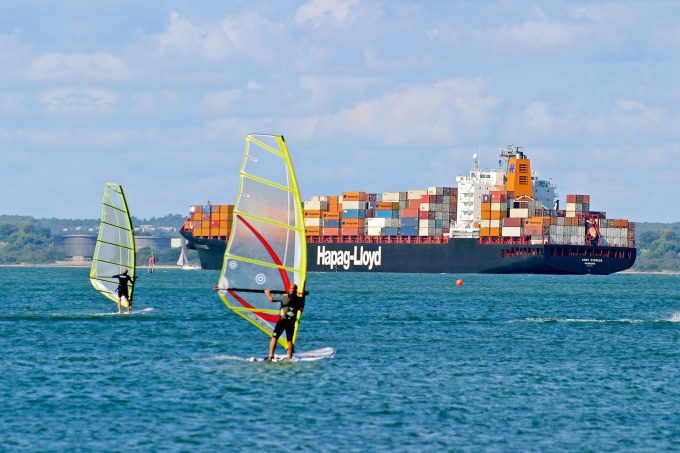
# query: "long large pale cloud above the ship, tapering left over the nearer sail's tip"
449,111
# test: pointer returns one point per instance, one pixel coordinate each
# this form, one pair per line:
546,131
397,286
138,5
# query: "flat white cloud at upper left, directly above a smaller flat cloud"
100,66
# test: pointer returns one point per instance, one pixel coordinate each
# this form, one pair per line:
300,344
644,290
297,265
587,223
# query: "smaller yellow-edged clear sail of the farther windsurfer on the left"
114,251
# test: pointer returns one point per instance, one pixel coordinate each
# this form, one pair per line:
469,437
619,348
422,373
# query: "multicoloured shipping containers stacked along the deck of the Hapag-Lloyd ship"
430,213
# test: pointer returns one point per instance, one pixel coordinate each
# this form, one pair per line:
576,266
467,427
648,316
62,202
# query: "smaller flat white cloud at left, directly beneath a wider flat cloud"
76,101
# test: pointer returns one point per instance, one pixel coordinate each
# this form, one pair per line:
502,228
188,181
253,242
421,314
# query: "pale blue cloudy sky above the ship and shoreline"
371,96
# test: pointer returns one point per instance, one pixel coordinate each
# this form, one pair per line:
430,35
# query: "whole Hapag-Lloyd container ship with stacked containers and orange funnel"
500,221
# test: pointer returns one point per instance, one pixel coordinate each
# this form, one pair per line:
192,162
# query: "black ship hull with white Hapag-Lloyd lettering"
456,256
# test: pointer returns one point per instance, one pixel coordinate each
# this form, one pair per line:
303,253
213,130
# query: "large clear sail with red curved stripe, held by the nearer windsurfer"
267,245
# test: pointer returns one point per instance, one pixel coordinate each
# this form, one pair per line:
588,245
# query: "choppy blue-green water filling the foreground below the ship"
504,363
